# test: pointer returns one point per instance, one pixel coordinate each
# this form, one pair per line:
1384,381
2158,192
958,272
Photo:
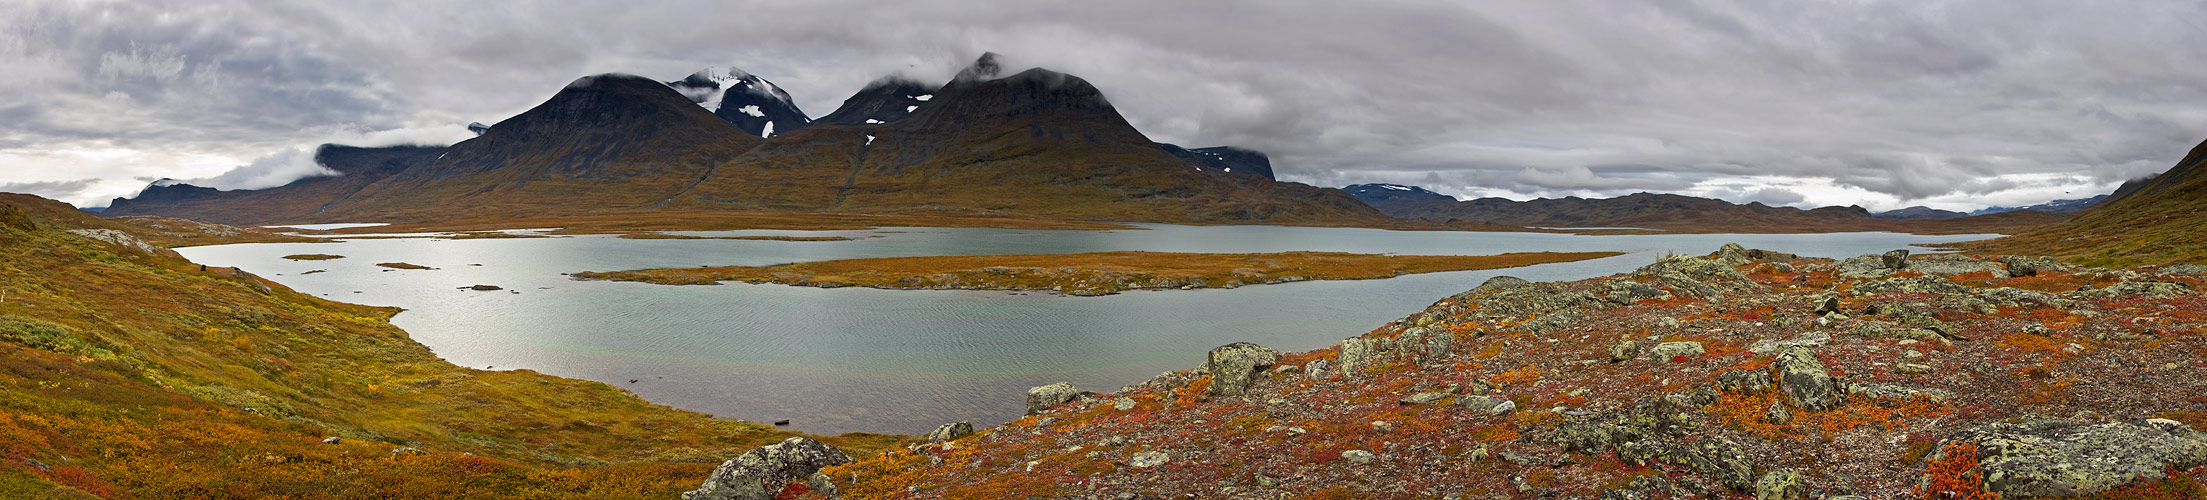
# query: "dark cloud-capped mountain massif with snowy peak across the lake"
983,144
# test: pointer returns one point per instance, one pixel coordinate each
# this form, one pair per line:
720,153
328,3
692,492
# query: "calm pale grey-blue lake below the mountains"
864,360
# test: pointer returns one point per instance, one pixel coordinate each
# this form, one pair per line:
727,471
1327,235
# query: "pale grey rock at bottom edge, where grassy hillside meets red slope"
763,472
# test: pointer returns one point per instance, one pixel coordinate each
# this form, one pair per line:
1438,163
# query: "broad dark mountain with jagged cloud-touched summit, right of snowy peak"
1034,144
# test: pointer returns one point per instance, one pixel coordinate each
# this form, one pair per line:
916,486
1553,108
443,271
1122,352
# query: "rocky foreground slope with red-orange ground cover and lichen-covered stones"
1729,376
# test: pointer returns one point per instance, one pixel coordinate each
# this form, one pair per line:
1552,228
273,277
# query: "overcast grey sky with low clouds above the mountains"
1877,105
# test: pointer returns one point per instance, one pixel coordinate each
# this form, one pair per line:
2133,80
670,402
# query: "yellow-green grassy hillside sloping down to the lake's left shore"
131,373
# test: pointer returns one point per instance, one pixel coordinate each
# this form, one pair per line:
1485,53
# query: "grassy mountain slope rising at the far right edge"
2149,221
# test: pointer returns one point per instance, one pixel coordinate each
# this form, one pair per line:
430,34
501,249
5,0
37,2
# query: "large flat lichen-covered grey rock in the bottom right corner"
2058,459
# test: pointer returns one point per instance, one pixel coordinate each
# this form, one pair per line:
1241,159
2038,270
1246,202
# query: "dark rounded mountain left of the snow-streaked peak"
606,142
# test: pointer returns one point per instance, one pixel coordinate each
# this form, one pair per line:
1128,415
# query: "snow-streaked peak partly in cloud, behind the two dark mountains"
747,100
